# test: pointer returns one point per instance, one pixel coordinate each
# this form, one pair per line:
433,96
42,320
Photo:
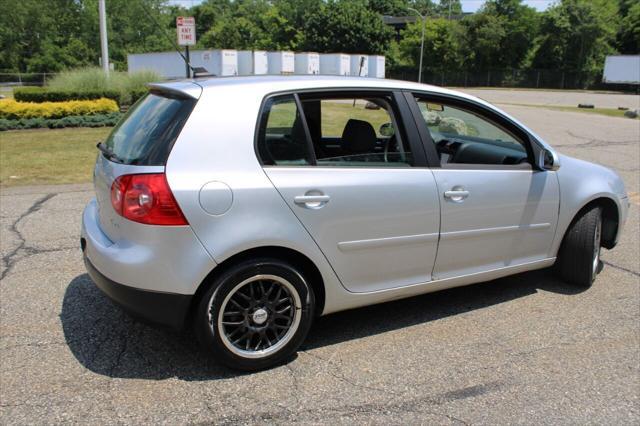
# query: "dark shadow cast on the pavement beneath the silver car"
107,341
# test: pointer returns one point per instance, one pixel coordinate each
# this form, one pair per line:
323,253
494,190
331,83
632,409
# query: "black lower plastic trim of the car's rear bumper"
164,309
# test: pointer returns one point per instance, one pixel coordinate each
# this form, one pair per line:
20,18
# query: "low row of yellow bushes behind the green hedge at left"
12,110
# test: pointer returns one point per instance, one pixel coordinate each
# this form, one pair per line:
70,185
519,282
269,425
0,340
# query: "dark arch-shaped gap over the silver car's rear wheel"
308,269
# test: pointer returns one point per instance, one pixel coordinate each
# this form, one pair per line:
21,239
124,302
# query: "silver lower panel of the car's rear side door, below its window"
379,228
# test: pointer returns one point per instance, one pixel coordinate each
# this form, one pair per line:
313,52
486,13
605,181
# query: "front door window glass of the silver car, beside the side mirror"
465,137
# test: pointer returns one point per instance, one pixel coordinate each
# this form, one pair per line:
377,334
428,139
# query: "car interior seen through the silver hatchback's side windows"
362,132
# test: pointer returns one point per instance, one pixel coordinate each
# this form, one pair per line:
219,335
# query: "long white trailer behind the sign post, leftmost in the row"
171,65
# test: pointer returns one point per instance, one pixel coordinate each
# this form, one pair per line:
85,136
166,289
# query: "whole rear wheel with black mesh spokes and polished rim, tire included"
255,315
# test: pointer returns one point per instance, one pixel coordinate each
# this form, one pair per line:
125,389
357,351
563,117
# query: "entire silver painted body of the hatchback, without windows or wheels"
214,160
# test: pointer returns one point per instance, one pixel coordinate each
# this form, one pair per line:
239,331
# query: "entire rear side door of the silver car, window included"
368,200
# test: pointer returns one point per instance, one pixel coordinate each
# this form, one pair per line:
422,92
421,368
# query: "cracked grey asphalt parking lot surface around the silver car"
524,349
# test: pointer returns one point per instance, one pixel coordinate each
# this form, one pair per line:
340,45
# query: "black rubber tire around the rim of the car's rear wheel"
211,339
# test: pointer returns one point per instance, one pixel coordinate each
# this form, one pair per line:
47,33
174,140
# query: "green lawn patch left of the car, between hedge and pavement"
44,156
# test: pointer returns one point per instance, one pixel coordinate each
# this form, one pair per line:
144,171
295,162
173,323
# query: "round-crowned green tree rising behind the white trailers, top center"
345,26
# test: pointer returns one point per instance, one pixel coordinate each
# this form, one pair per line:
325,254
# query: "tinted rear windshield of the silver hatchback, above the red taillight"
146,134
